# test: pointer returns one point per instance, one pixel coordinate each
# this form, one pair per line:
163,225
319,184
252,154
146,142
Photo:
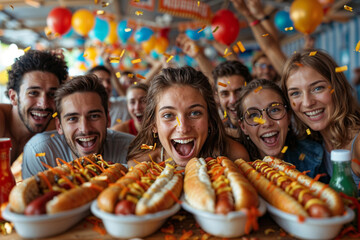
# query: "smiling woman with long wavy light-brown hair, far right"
323,103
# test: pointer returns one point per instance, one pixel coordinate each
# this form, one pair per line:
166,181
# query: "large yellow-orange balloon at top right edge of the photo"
306,15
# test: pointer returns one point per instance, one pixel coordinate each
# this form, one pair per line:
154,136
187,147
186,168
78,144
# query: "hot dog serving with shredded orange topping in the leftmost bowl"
64,187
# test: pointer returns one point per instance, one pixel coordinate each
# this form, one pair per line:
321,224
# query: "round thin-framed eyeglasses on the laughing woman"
276,111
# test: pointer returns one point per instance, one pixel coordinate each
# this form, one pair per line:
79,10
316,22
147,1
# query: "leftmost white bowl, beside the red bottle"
45,225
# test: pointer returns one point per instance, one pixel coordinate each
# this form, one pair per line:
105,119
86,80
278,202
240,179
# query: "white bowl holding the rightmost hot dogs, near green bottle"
310,228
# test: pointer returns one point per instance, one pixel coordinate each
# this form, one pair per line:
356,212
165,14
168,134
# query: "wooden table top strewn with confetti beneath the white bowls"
84,231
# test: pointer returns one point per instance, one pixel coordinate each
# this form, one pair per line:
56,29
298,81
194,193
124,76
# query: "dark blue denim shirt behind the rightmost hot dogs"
312,161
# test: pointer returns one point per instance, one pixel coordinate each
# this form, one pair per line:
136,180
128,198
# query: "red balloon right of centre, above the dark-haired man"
227,26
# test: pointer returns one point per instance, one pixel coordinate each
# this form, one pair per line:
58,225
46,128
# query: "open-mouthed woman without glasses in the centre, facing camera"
181,121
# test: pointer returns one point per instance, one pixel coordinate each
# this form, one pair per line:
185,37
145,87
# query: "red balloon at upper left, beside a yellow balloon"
59,20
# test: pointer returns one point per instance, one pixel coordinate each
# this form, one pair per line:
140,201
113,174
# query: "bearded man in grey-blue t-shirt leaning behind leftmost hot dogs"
81,123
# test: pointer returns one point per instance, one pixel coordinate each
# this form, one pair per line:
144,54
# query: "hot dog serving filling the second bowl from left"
147,188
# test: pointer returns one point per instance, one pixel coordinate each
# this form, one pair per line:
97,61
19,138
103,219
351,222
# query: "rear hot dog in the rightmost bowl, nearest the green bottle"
323,191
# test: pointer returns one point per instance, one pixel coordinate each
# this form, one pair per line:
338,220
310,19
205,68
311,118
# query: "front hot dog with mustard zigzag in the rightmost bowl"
282,191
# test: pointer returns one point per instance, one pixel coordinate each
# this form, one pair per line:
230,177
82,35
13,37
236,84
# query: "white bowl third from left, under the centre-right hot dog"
227,226
